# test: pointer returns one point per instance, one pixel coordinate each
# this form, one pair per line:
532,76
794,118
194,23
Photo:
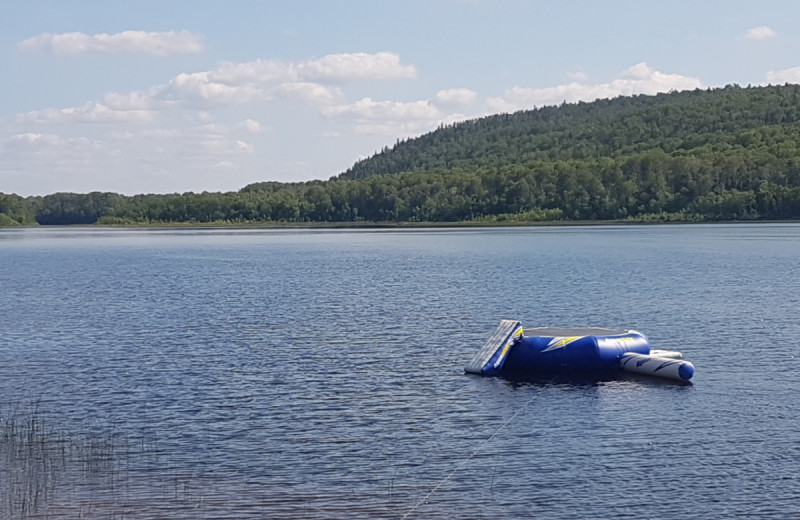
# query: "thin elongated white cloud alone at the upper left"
155,43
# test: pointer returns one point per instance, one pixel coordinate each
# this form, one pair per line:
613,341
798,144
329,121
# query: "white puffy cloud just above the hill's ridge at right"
639,79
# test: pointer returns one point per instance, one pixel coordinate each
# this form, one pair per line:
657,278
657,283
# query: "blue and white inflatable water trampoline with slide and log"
583,351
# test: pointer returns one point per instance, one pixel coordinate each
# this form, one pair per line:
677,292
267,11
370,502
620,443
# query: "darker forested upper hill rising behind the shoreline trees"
696,123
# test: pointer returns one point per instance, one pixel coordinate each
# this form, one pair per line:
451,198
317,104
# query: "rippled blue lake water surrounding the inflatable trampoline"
319,374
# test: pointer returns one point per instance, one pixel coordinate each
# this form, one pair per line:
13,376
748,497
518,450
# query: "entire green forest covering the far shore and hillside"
731,153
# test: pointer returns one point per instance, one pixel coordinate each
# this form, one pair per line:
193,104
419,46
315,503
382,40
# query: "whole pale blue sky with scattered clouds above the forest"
176,96
